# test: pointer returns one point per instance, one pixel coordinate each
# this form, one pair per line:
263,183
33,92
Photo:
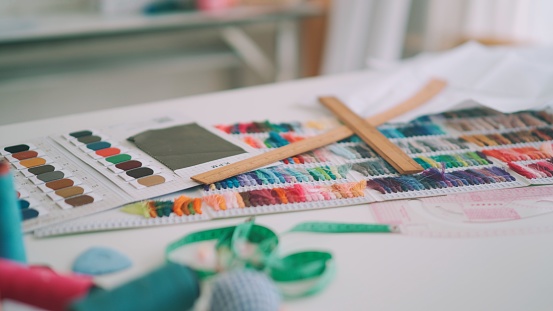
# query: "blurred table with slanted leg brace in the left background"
85,62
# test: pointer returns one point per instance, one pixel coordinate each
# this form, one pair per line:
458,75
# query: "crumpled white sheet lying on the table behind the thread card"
505,79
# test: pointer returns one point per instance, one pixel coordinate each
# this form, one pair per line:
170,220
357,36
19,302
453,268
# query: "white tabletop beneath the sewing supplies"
375,272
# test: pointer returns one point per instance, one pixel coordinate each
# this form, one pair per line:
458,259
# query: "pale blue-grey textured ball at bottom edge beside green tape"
244,290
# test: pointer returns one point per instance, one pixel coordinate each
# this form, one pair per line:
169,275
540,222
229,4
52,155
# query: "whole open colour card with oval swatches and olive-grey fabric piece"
62,177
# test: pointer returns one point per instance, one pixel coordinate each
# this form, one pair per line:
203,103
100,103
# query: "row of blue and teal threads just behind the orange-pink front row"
281,175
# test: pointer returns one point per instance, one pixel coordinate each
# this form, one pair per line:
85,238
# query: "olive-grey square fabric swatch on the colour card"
184,145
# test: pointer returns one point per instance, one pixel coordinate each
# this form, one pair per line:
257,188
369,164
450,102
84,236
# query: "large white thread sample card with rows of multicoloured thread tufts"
462,151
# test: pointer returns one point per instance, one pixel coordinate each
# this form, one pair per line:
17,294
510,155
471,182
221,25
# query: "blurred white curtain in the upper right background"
371,32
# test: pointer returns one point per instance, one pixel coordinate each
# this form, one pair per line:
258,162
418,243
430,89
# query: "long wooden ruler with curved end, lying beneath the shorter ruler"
431,89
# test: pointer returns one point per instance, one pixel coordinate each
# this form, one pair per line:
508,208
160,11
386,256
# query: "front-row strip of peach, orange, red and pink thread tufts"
285,195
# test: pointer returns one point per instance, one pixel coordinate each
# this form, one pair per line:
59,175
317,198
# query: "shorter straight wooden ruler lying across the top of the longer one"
372,136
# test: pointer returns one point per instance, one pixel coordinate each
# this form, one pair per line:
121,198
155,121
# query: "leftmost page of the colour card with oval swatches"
54,186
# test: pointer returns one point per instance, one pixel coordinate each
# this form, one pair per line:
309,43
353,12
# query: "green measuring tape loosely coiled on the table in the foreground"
317,267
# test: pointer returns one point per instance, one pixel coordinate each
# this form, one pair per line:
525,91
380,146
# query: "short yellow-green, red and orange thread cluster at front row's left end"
181,206
